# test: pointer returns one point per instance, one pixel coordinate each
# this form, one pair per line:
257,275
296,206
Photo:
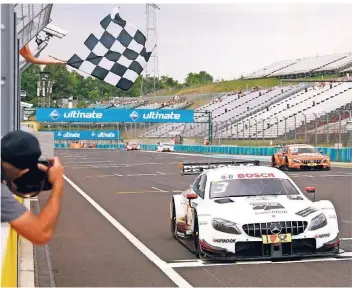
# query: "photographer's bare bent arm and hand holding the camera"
39,229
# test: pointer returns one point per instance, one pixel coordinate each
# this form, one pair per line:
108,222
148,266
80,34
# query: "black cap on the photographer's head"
21,149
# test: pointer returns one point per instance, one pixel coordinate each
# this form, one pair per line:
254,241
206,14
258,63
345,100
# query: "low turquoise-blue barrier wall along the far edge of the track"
336,155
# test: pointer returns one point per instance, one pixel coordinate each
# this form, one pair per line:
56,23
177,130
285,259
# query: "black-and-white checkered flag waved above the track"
115,53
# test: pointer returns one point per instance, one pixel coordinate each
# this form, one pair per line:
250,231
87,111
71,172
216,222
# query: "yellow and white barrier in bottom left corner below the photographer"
11,255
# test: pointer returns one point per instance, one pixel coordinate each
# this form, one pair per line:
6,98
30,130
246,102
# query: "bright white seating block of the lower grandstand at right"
290,113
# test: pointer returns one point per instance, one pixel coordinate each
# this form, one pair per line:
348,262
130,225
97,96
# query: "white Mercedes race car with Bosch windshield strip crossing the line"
248,212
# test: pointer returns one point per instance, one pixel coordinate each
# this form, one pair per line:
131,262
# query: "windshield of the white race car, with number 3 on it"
251,187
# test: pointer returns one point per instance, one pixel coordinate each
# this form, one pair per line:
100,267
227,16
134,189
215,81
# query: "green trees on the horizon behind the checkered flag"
70,83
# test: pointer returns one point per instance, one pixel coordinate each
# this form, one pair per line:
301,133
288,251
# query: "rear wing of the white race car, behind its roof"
197,168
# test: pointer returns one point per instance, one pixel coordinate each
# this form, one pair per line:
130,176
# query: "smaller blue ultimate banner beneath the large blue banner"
87,135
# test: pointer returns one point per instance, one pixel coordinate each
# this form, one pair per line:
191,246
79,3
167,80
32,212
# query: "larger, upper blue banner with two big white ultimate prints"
114,115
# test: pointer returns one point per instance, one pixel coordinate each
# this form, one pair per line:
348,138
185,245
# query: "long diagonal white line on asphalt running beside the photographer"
162,265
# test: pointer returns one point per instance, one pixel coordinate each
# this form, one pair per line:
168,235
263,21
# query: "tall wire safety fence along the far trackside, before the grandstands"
318,129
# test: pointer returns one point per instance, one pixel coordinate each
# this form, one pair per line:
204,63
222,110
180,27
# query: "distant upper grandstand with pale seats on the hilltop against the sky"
300,68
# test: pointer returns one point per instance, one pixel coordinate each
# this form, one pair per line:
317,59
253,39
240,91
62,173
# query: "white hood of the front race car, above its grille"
261,209
